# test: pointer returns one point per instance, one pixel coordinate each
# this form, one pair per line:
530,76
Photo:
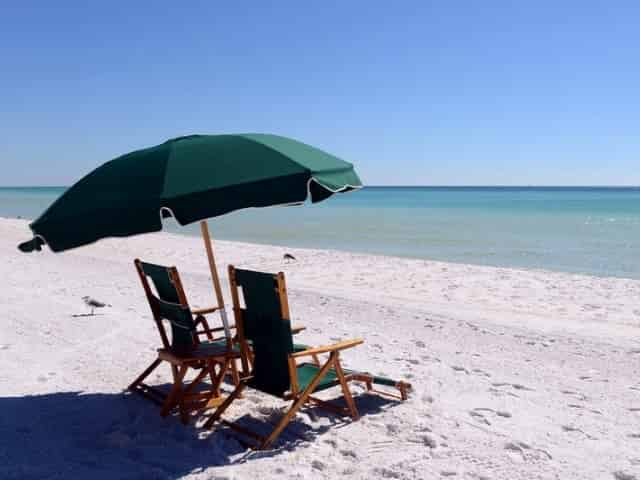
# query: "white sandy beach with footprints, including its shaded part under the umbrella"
517,374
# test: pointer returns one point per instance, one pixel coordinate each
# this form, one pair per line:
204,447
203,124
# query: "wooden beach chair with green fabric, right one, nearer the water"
265,321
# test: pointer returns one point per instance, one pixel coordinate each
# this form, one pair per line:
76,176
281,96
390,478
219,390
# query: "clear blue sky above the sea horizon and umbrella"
431,93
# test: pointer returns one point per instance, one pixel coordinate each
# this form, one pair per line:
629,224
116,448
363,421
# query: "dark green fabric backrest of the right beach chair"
268,331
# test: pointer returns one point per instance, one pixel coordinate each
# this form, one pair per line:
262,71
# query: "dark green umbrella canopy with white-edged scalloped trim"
190,178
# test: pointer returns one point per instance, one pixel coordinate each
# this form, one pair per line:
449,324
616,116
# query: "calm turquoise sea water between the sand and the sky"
584,230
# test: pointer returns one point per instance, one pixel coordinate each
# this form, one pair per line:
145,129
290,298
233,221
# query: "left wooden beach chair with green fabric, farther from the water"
213,357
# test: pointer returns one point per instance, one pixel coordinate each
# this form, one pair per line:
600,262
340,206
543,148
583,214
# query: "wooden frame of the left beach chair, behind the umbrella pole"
213,362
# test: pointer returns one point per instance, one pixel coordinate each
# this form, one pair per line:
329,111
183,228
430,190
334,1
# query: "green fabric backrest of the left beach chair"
167,306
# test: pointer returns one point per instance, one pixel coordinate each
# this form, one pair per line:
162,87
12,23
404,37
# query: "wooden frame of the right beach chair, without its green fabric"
299,397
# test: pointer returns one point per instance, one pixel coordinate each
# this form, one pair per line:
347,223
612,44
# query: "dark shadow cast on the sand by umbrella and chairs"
120,435
